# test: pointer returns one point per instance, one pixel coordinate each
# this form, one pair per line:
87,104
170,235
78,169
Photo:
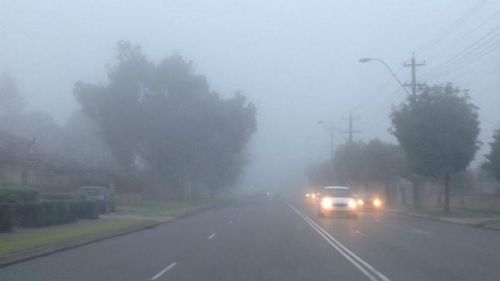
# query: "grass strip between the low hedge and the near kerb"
34,238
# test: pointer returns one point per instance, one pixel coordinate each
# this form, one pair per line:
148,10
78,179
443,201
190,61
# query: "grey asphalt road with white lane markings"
276,240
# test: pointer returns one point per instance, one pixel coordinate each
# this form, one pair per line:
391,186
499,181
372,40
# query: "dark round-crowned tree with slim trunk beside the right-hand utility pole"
438,131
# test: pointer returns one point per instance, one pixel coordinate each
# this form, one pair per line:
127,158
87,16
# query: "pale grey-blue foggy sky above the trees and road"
296,60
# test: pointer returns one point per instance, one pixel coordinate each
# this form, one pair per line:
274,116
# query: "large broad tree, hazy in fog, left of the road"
164,120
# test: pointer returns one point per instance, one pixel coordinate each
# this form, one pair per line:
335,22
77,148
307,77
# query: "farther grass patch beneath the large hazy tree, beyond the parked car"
171,208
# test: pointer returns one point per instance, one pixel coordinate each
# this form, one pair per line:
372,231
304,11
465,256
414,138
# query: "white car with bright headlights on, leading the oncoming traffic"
338,200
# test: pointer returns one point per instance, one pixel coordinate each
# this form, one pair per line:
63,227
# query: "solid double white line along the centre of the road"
364,267
